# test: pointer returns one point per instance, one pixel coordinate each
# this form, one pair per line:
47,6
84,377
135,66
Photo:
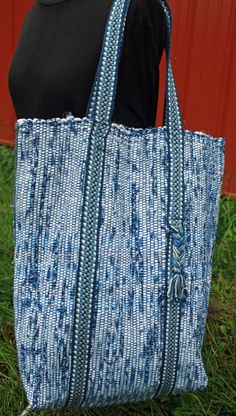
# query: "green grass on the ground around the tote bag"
219,340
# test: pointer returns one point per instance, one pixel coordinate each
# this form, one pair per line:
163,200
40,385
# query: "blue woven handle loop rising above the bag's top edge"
102,98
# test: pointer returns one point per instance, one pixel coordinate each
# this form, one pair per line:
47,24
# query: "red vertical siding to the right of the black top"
204,64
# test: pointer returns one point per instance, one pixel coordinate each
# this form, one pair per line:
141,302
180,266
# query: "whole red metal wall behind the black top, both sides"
204,64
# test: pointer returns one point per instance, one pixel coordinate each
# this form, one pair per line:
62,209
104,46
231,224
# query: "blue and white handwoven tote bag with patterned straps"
114,229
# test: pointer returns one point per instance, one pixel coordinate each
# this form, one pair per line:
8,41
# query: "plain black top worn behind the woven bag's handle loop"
58,51
